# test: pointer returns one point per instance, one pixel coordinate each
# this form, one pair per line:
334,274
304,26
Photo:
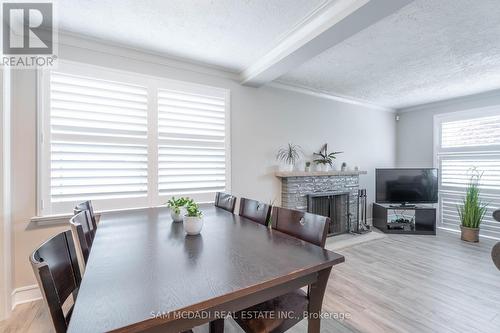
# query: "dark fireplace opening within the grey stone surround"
334,205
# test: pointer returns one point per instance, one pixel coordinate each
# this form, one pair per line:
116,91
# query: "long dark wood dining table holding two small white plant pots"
145,274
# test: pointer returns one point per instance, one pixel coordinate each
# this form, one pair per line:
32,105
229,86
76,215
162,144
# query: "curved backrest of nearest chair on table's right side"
309,227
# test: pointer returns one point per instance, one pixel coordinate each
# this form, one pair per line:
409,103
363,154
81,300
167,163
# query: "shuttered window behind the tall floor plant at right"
465,141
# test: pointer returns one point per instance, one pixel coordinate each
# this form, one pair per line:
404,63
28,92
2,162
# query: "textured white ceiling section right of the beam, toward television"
430,50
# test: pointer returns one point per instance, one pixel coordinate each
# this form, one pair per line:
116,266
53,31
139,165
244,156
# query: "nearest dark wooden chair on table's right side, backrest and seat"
307,227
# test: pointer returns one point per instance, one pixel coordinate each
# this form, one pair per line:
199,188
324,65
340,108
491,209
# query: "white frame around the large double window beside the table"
153,83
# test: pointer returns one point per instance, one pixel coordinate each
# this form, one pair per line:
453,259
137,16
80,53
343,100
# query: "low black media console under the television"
396,219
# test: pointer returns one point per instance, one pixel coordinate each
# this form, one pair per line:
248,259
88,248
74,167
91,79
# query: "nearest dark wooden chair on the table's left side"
56,268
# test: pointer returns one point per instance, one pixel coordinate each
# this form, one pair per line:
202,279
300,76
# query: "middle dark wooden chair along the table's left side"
82,234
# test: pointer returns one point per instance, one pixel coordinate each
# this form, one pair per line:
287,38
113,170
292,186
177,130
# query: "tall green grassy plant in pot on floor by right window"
472,210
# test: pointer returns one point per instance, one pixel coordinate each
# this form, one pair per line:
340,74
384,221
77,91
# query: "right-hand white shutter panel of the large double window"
192,143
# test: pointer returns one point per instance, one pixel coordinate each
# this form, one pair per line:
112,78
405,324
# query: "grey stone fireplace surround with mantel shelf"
297,185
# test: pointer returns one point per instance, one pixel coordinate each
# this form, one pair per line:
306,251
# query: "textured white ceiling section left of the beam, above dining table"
225,33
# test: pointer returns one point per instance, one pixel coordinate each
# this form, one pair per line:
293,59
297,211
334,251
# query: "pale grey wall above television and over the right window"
416,125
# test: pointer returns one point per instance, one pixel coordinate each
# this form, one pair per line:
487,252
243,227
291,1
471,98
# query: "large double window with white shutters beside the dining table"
125,140
